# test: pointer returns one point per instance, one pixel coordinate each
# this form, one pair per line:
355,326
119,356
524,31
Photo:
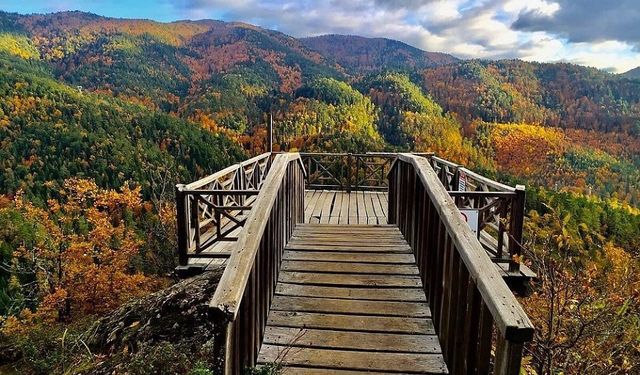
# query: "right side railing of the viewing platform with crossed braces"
500,209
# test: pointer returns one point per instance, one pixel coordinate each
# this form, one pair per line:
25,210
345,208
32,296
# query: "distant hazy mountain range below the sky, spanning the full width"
185,66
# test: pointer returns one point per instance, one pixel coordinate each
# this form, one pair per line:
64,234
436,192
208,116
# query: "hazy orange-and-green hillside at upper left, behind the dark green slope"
161,64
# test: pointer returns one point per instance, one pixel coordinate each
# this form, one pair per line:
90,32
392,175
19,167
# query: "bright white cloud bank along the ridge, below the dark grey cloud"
468,29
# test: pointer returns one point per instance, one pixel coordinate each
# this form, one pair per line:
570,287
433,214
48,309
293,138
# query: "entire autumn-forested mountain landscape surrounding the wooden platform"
100,117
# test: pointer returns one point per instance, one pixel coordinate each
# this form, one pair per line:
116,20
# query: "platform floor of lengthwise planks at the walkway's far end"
340,207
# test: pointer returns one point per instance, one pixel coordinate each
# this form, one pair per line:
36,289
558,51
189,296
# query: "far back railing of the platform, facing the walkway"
346,171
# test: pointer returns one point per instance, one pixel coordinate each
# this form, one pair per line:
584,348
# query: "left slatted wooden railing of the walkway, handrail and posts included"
244,294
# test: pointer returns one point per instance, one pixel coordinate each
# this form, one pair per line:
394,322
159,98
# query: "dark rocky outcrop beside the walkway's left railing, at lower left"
176,318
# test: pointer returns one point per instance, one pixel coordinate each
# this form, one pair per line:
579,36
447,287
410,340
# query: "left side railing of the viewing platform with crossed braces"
214,209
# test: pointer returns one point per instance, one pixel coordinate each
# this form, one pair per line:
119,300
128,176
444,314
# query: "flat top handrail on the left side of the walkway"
230,290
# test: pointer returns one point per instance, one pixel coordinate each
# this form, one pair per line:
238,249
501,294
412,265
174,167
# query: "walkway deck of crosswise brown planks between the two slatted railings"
349,301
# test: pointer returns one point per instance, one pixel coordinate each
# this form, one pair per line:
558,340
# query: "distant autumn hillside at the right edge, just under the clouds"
557,95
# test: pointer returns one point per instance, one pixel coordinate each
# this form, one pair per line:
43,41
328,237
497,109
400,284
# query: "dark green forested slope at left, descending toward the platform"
51,132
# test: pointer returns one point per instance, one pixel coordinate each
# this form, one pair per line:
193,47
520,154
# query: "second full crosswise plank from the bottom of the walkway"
365,341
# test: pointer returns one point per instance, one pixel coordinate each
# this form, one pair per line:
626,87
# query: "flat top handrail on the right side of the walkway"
511,320
